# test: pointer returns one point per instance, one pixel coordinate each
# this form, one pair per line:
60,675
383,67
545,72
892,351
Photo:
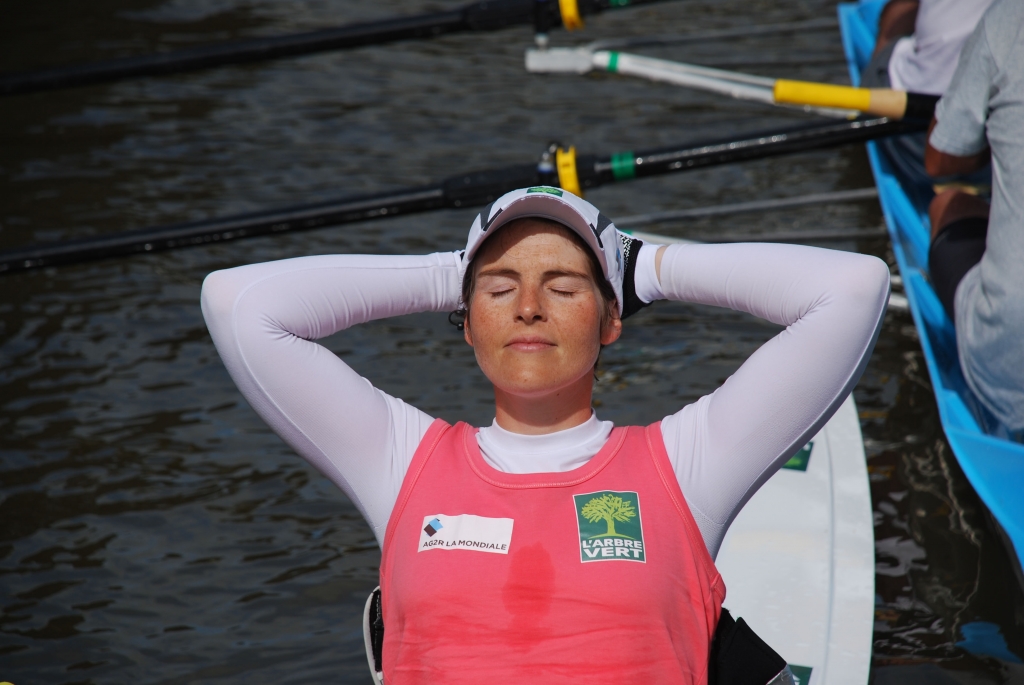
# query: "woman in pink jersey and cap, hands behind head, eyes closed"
550,546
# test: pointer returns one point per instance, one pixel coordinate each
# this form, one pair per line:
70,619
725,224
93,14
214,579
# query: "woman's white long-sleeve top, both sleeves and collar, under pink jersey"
265,320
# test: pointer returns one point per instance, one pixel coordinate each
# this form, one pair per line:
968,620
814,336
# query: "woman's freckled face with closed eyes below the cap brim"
537,317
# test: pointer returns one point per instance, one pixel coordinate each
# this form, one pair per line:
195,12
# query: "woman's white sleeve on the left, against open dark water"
264,320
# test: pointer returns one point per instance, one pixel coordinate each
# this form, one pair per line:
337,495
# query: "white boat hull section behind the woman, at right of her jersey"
799,561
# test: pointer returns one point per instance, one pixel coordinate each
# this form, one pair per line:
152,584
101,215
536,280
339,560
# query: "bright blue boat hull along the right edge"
995,466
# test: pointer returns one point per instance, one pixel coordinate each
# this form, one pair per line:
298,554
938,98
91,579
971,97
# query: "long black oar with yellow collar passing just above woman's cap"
558,166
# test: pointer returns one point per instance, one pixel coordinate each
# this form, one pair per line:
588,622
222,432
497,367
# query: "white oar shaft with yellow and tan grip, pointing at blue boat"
822,98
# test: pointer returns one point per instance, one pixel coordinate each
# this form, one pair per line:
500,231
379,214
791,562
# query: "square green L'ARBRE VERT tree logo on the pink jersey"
610,527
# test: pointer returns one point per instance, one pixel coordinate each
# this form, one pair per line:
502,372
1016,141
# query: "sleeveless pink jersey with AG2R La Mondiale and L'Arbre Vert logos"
599,575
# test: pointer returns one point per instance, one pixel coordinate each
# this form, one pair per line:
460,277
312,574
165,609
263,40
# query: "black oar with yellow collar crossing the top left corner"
482,16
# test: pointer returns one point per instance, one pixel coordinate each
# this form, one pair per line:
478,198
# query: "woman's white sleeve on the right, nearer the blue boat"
726,446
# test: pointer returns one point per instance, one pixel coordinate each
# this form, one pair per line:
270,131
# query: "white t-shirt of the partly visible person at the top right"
925,62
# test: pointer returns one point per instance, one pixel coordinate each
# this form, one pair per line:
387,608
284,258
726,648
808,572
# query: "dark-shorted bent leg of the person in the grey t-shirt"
960,225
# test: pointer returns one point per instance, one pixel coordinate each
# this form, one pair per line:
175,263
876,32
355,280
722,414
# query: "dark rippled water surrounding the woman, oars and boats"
152,529
